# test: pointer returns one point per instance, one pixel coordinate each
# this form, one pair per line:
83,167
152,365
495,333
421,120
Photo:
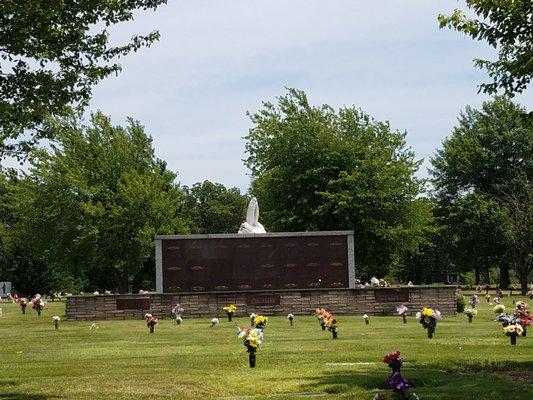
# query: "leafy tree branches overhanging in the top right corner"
506,25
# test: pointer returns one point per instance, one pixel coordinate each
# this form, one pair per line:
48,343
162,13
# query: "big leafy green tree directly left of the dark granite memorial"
92,204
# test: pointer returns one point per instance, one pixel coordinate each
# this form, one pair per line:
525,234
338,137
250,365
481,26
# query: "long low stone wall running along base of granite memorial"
373,301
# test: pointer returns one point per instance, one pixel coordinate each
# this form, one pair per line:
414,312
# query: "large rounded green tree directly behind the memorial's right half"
317,169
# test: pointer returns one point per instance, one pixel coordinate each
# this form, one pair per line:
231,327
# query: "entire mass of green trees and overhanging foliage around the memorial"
84,214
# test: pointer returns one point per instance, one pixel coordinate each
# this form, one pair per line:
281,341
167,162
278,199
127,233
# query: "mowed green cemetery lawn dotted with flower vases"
121,360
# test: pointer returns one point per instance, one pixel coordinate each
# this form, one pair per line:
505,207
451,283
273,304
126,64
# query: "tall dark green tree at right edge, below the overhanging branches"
483,178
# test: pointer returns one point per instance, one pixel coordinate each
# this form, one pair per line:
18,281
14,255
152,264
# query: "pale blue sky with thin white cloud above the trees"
217,60
